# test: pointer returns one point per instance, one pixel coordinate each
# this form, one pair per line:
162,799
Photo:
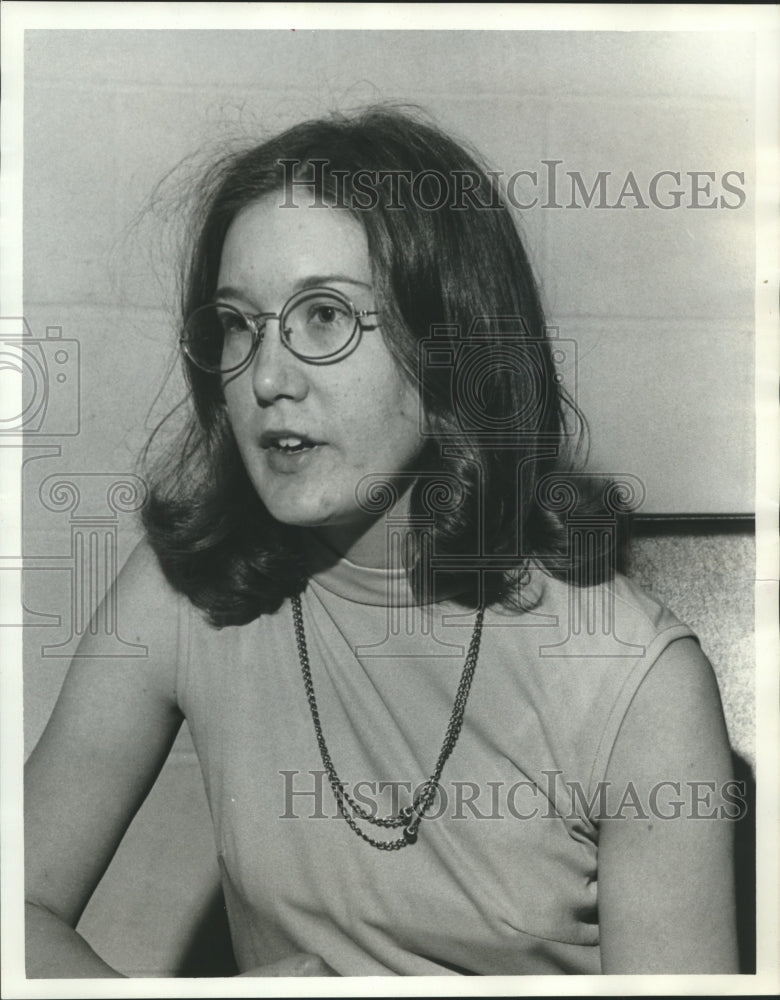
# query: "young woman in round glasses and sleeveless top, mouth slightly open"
362,587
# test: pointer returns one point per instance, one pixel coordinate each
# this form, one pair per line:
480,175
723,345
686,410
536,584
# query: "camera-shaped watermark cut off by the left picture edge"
48,373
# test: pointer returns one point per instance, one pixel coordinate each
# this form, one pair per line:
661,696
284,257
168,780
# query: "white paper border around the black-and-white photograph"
764,20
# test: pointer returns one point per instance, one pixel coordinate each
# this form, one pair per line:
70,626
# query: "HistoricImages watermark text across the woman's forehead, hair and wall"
550,186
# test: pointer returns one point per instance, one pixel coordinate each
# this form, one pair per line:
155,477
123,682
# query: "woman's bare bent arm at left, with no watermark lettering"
106,741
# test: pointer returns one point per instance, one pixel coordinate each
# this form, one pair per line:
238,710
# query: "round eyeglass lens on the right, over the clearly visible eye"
319,324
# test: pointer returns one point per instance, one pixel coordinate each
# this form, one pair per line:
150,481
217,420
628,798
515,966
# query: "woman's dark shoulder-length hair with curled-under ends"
461,315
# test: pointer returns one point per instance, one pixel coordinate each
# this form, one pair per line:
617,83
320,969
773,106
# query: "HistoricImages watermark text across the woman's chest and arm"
307,795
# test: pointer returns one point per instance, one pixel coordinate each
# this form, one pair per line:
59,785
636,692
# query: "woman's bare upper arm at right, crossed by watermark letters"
666,885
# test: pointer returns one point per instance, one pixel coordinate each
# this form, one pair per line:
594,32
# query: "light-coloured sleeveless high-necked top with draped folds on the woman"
503,879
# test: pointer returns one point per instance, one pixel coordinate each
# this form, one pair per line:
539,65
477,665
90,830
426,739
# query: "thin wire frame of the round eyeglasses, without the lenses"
256,323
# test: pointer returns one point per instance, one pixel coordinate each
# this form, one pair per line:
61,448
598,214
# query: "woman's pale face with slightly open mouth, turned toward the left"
357,416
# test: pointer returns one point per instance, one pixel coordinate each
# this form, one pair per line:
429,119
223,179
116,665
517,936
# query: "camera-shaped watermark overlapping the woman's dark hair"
497,380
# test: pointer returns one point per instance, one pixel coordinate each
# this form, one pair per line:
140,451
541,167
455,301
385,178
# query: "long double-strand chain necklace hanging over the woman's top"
410,817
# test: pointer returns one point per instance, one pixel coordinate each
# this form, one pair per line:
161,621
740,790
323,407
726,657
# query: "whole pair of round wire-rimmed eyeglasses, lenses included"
318,325
